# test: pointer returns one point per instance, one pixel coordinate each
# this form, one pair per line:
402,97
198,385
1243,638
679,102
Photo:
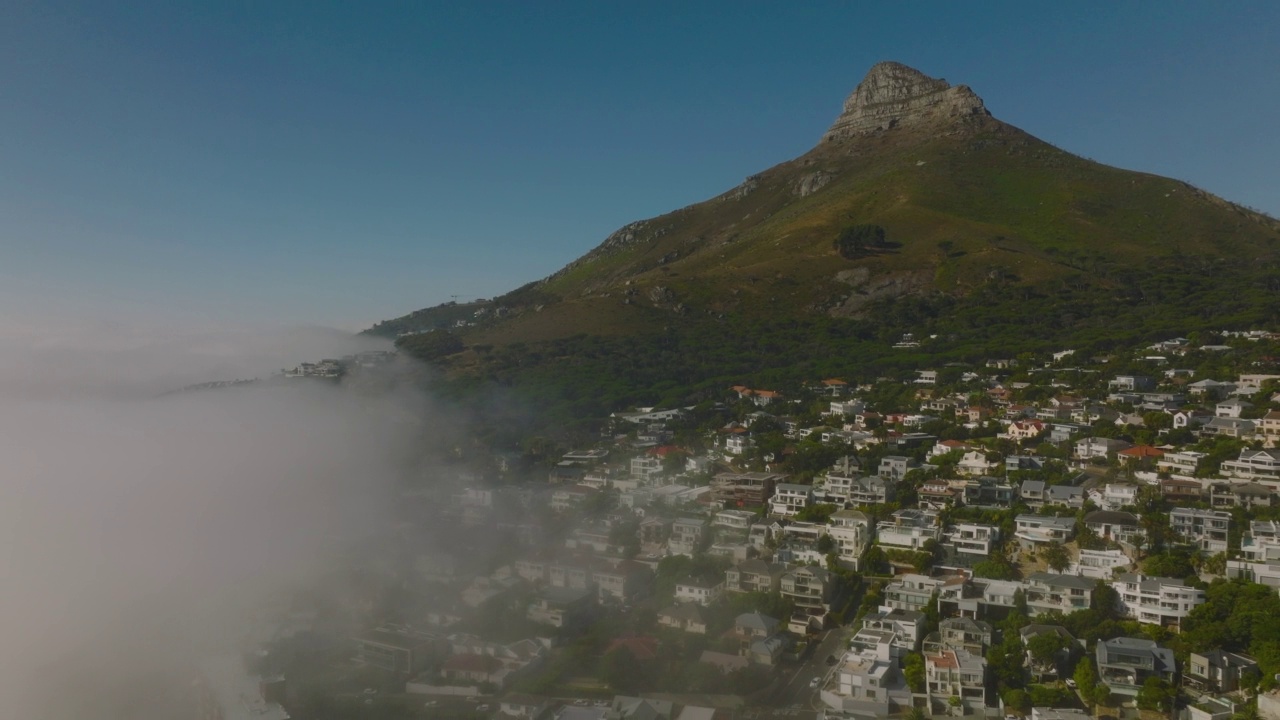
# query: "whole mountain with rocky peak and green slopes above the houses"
916,212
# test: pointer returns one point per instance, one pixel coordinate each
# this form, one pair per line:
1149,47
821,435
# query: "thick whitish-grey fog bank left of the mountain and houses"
143,534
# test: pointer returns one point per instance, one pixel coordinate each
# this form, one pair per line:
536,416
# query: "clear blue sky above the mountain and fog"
341,163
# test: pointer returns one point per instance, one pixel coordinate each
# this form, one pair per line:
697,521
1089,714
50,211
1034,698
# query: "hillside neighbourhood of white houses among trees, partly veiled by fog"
1046,537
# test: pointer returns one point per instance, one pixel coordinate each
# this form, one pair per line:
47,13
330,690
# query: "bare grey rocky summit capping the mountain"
894,95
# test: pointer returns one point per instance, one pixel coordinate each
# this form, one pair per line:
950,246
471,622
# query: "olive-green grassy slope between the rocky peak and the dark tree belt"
1007,203
